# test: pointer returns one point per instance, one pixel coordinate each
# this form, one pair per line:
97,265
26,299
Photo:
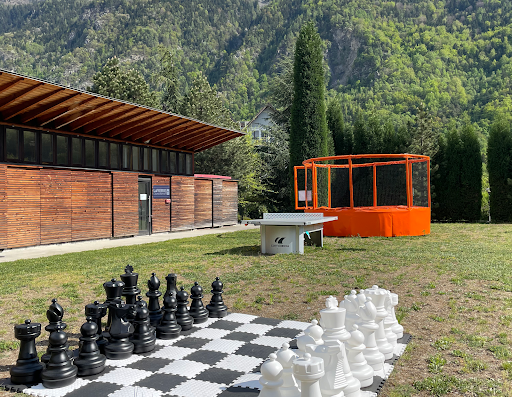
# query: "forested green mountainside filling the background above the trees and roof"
455,56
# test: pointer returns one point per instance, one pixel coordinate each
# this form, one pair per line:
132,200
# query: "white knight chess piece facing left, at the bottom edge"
333,382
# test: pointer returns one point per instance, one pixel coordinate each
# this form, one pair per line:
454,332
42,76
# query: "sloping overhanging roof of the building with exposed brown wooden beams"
33,103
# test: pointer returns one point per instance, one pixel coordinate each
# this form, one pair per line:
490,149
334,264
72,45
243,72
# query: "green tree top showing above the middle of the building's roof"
126,85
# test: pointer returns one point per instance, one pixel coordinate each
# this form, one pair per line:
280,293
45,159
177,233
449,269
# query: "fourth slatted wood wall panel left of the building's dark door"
23,210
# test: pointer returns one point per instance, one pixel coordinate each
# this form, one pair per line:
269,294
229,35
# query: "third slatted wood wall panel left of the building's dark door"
55,206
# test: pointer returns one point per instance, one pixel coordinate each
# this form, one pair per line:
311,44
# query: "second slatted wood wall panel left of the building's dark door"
91,205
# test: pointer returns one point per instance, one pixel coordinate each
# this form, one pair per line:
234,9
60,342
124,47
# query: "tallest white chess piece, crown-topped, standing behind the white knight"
333,319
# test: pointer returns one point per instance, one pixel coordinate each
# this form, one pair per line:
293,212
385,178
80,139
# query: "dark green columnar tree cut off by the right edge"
499,164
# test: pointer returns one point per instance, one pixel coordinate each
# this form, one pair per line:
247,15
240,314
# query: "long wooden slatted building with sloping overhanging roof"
79,166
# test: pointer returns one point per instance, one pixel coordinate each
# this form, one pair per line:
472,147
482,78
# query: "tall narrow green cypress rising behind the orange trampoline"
308,124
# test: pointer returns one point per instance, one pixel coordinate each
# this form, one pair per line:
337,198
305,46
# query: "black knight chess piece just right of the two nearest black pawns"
119,346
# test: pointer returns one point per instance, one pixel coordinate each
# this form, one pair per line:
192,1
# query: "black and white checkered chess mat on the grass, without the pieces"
219,358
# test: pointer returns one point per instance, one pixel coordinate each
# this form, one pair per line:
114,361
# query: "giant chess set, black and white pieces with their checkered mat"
197,351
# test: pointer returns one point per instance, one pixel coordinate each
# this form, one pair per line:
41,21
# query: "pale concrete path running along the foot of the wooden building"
59,249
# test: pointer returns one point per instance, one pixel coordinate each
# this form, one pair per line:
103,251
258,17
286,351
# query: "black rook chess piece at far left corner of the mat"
27,370
